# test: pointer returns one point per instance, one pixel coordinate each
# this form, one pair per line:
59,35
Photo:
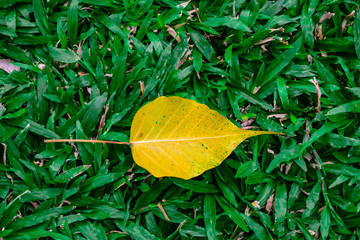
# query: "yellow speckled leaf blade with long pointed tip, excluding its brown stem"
177,137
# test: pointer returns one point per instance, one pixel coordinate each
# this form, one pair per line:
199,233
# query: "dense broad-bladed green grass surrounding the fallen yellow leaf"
82,67
